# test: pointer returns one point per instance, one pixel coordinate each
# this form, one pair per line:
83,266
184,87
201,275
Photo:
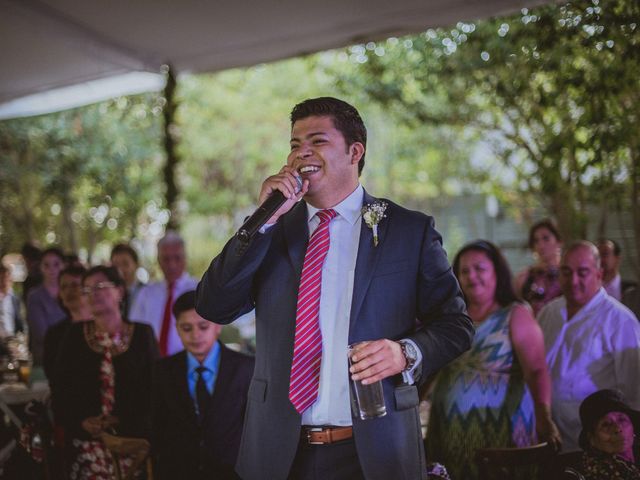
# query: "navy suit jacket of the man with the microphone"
403,288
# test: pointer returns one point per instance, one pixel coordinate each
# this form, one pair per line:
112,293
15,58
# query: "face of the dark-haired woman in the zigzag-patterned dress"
477,277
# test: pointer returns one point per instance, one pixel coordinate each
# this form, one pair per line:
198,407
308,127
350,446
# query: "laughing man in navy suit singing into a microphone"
338,268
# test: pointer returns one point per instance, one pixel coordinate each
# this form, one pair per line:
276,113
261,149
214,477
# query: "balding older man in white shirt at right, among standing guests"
592,341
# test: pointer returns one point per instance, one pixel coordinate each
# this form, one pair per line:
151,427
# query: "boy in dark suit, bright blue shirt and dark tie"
199,399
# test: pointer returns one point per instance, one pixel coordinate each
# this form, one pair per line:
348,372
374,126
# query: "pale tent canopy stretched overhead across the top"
50,44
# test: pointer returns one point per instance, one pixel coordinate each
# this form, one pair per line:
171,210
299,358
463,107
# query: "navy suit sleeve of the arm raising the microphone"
225,291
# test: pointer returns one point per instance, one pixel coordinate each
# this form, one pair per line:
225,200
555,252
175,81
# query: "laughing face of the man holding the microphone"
320,154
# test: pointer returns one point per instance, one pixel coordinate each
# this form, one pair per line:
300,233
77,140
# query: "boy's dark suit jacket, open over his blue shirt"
181,447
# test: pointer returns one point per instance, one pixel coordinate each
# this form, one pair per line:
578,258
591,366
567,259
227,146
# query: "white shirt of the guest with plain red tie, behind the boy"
148,307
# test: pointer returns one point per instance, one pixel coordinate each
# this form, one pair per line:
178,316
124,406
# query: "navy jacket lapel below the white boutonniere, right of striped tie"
366,262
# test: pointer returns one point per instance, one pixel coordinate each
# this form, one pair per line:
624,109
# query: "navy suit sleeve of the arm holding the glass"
446,330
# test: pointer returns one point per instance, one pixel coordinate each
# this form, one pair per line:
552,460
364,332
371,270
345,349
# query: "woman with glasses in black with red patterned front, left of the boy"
103,377
